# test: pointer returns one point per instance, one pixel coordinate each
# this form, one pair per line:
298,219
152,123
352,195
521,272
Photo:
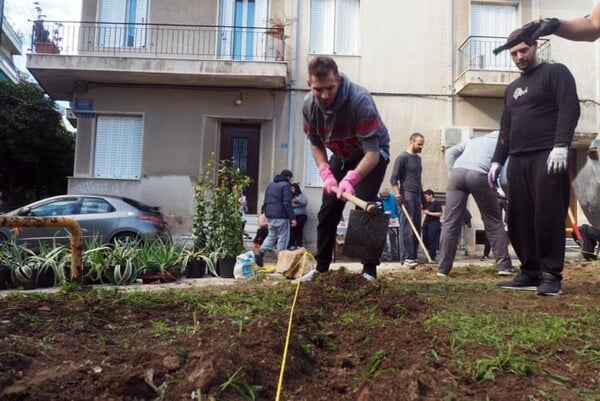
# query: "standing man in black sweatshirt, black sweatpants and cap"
541,109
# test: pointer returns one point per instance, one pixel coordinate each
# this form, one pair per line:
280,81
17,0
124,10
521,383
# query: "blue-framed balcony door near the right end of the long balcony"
238,39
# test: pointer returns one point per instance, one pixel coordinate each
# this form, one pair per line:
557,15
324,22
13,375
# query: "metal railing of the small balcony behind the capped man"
477,53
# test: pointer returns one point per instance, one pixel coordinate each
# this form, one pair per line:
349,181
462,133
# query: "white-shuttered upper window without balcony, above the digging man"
334,26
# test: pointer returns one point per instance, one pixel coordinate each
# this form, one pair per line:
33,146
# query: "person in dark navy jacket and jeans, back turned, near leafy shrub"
279,213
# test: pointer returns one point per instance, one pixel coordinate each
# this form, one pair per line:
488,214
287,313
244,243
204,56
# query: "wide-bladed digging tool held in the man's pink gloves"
367,229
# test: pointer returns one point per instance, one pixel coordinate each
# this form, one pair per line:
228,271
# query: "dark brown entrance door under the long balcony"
240,143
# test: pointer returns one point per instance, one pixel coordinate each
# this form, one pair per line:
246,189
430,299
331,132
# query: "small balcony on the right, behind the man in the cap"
481,73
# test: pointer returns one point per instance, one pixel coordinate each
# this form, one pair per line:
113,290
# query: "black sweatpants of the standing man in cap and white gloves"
537,210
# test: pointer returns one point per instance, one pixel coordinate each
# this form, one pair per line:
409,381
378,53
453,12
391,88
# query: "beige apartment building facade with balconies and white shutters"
157,87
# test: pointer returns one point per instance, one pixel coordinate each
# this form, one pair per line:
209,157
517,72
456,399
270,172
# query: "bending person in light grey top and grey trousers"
469,163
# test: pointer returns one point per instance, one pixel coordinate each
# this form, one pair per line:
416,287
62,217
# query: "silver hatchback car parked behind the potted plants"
111,218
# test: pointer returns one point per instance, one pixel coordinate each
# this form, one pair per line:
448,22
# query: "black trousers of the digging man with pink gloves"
332,208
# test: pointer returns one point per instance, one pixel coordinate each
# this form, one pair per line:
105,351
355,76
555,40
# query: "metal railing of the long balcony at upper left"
208,42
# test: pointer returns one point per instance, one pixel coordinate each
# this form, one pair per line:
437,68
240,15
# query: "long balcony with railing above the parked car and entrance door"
74,54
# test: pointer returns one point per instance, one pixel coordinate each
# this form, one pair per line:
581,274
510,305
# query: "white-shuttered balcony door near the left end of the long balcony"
122,23
